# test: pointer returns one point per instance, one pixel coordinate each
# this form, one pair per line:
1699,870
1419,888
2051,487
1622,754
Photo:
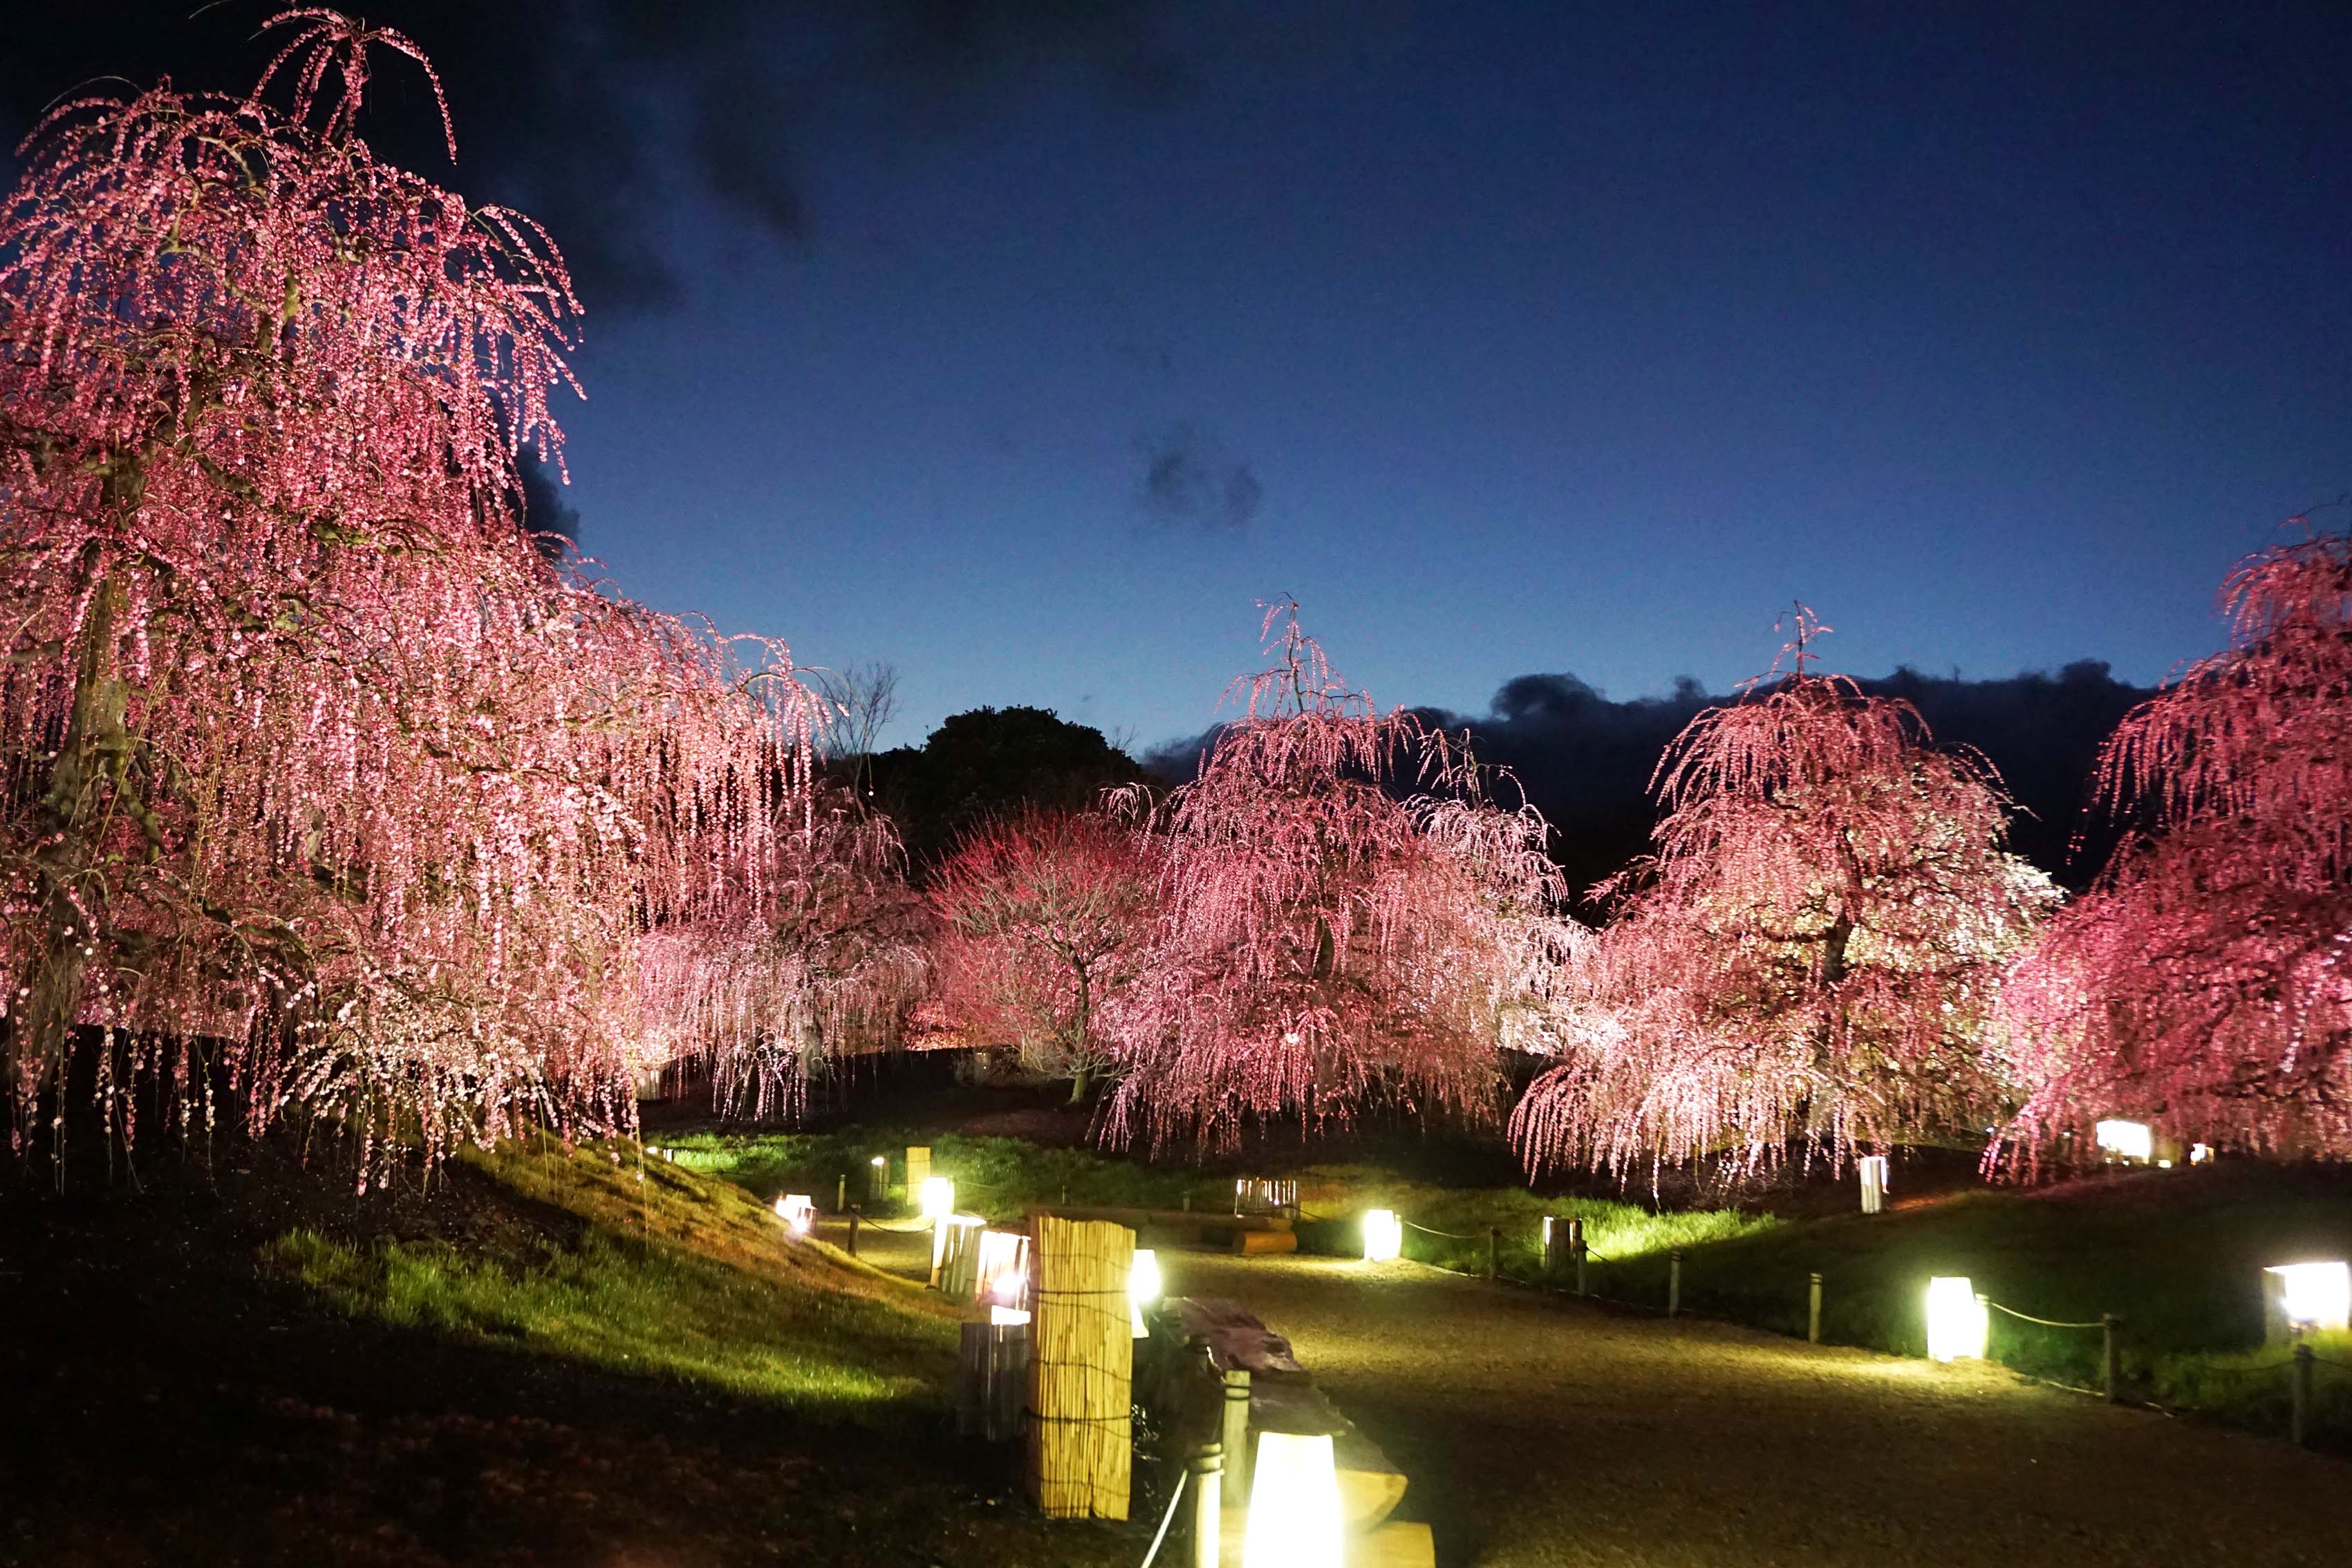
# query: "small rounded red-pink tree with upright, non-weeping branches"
1043,925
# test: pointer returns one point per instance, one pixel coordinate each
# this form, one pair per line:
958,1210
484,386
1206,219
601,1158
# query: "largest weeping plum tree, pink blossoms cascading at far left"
319,782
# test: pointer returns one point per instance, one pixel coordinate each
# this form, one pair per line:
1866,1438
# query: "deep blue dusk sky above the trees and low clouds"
1027,347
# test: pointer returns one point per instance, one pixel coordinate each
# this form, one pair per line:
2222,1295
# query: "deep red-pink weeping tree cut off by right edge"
2205,984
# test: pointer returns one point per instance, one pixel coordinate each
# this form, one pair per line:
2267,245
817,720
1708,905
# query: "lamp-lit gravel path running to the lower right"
1542,1430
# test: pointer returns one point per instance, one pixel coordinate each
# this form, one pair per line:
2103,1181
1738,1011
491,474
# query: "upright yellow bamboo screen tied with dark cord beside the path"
1081,1369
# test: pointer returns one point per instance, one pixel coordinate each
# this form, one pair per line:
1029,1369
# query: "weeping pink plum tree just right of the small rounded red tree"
1330,942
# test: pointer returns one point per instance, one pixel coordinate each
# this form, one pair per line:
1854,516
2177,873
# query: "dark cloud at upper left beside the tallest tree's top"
596,116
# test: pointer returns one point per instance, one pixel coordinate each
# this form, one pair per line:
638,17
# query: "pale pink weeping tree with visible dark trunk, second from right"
1812,951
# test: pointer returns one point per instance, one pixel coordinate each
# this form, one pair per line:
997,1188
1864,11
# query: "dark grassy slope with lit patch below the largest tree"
519,1367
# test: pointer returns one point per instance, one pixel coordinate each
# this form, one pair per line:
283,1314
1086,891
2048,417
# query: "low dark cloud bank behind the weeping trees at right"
1586,760
